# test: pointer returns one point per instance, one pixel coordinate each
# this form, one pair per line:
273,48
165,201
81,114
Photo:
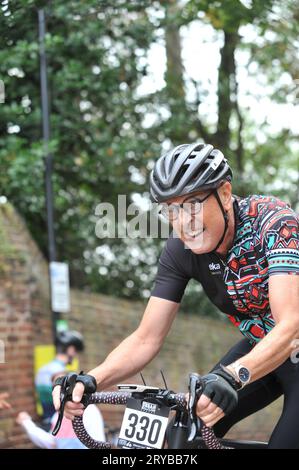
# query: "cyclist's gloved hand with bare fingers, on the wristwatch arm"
219,397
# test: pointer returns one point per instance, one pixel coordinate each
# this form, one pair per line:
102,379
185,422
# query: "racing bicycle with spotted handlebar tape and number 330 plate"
146,419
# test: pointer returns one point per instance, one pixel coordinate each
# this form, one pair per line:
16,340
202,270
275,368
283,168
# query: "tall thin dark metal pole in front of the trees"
48,155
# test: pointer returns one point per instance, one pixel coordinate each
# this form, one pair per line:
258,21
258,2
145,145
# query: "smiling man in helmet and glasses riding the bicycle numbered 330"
245,253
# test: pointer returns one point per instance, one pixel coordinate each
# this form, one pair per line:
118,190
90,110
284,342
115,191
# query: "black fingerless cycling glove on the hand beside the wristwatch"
221,388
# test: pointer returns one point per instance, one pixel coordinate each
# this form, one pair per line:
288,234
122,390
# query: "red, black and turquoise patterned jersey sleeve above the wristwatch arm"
279,232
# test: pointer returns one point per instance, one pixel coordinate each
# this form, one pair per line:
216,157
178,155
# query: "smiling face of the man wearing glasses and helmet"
199,225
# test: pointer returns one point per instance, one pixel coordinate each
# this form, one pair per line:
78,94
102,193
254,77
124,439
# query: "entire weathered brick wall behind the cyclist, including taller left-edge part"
193,344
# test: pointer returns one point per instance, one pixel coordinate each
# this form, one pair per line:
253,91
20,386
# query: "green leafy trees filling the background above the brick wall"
102,144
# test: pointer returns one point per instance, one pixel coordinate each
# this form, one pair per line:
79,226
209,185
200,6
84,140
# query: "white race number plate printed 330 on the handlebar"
144,425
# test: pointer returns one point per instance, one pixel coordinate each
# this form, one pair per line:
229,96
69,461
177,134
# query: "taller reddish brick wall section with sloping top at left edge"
24,320
